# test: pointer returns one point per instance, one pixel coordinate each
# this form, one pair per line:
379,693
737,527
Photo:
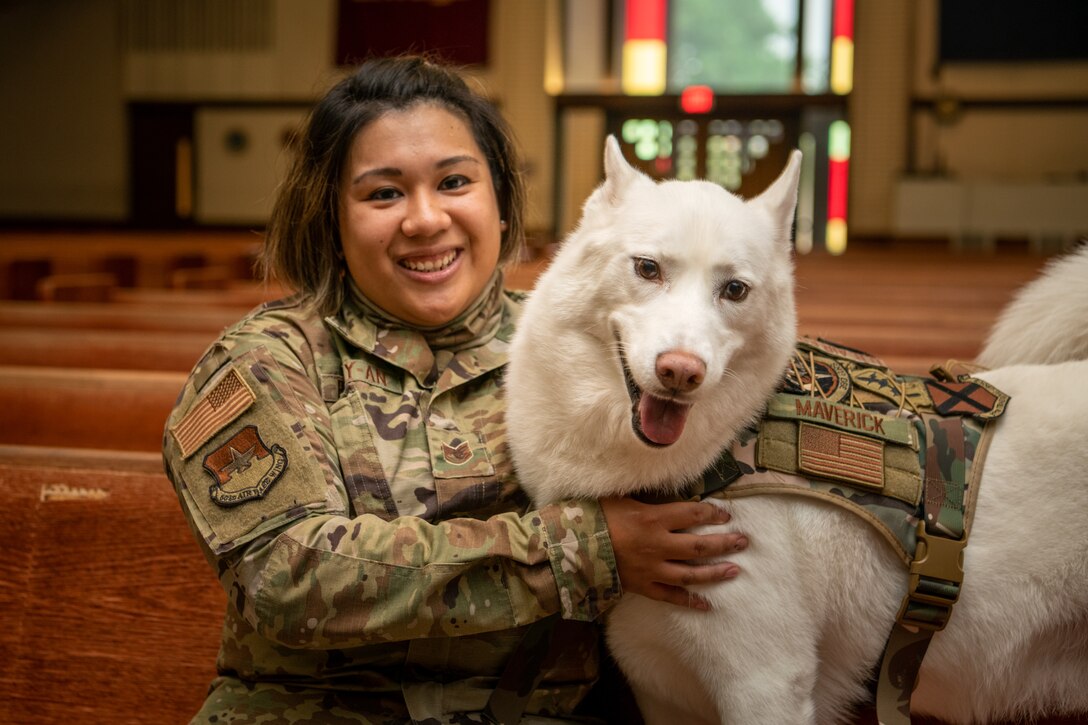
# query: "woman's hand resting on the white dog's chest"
653,555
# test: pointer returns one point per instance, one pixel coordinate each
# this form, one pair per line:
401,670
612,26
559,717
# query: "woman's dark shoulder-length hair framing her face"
303,249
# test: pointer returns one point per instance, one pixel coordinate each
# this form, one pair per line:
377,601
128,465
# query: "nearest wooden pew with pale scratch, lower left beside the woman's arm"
110,613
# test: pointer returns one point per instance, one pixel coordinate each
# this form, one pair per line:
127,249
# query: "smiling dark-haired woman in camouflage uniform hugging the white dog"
341,456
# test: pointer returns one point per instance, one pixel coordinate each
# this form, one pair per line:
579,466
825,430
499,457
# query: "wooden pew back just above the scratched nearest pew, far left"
86,409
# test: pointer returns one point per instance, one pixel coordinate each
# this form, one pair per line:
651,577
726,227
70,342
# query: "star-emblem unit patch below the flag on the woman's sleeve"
244,469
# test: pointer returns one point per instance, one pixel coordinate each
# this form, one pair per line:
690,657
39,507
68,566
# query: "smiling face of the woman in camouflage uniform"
418,215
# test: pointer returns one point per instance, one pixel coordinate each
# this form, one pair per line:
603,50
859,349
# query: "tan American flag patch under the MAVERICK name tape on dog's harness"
843,457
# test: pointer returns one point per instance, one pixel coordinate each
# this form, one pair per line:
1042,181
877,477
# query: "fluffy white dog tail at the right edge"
1046,321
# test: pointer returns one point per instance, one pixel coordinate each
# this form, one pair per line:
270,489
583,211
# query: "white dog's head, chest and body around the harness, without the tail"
669,316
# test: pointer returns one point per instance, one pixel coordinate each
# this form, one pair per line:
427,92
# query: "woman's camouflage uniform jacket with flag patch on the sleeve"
350,482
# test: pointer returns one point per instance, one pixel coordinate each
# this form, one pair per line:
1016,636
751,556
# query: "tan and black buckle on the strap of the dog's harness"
935,583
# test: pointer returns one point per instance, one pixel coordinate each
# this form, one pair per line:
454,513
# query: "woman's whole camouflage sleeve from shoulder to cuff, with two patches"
253,460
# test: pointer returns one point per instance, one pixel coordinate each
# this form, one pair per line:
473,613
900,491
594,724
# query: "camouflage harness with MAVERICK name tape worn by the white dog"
902,452
